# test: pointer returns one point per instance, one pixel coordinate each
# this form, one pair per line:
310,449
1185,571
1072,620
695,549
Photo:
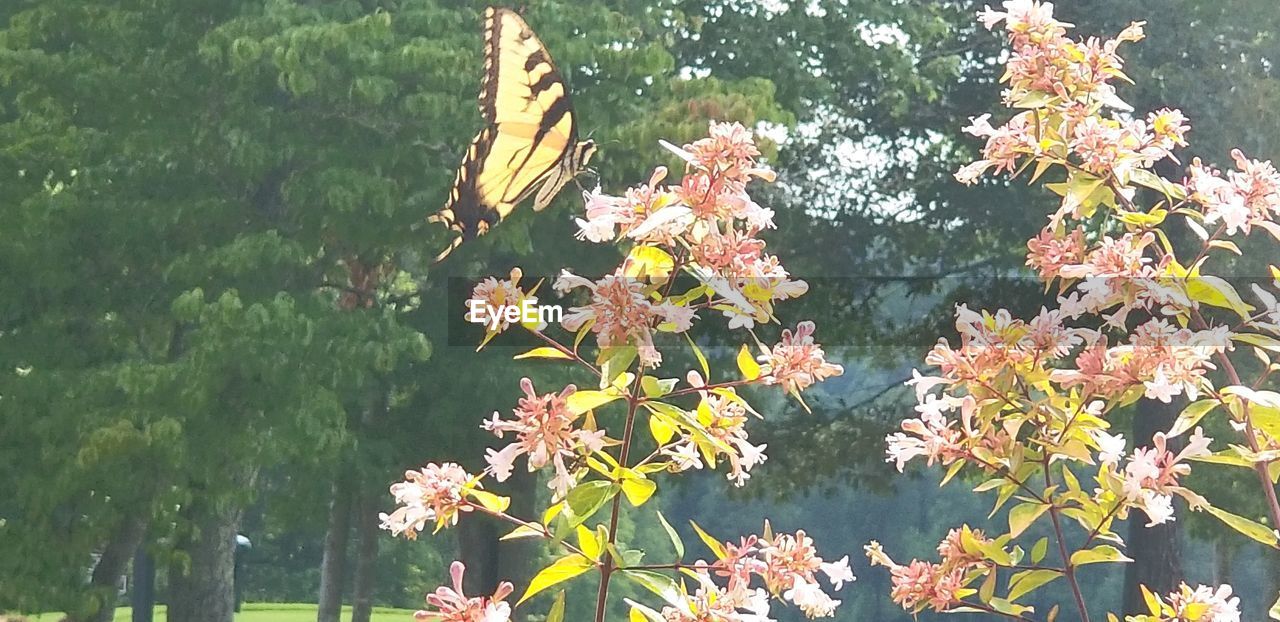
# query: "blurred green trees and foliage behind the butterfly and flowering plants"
199,198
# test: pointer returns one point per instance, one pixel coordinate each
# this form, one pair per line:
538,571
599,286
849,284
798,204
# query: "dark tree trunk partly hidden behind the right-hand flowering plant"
1155,551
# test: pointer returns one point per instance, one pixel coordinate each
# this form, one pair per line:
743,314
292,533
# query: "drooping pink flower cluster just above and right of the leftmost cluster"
545,432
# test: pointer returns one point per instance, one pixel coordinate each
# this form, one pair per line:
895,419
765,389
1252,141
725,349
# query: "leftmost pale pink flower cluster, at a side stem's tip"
433,493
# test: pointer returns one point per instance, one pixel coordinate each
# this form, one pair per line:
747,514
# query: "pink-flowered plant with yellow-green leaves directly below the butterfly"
702,234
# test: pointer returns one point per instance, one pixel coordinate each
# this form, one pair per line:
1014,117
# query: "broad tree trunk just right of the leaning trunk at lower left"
204,588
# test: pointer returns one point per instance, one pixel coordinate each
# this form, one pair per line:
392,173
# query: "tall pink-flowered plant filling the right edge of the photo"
1025,404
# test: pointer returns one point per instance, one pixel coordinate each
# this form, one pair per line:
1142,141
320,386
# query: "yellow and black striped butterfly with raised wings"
531,140
